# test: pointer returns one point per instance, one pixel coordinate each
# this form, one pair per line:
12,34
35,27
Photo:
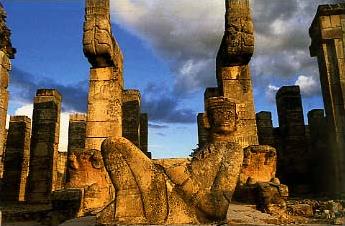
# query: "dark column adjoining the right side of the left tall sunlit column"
131,116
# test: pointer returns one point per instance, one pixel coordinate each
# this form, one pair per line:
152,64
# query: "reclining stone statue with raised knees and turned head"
196,190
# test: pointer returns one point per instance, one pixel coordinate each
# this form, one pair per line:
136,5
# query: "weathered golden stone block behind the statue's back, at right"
257,182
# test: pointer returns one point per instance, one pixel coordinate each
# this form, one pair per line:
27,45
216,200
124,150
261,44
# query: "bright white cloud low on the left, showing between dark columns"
64,123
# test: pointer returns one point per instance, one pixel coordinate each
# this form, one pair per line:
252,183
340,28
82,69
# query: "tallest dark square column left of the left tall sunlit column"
44,145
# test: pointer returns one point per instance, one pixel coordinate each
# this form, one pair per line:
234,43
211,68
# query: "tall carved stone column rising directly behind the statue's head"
233,73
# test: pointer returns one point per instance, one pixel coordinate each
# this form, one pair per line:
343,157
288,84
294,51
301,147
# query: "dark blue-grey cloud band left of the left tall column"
23,88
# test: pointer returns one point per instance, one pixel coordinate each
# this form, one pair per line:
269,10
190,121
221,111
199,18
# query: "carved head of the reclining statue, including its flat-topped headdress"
221,115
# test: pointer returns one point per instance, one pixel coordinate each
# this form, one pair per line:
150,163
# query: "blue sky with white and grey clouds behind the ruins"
169,48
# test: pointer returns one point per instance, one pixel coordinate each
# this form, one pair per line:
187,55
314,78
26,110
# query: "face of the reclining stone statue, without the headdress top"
223,118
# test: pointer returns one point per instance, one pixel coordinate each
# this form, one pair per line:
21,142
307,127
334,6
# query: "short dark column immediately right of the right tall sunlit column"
265,128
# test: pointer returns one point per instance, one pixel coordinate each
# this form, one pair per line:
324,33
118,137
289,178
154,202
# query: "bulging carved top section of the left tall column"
100,47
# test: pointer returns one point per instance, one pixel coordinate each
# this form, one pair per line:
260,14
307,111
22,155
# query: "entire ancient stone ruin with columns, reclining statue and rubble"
108,173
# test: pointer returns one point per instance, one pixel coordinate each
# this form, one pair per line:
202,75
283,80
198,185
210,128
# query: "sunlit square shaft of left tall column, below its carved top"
104,117
